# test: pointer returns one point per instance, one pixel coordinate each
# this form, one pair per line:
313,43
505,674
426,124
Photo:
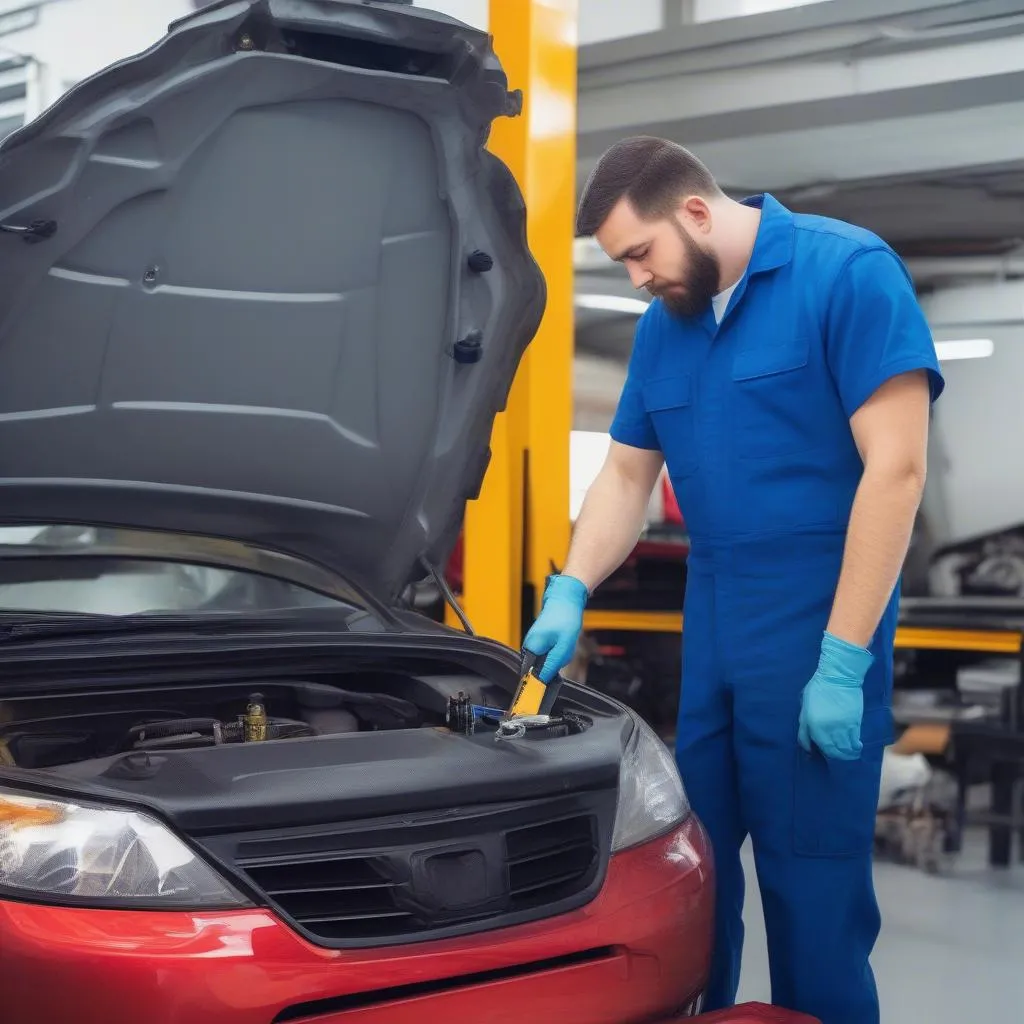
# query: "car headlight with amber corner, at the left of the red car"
101,857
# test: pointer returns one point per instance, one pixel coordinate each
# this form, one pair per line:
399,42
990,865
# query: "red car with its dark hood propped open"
262,294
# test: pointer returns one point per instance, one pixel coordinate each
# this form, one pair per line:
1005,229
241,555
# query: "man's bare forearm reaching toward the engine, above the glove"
608,529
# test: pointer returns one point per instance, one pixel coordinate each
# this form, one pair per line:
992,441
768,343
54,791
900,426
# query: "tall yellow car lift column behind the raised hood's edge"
519,529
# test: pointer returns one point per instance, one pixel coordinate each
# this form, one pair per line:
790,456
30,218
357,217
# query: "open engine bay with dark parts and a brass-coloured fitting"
74,728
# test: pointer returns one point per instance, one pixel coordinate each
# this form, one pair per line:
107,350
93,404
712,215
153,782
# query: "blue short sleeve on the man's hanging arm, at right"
877,329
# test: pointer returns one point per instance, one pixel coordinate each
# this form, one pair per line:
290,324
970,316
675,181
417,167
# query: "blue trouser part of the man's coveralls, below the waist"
751,644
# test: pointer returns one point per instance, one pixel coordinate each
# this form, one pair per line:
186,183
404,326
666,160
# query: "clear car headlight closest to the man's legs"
652,798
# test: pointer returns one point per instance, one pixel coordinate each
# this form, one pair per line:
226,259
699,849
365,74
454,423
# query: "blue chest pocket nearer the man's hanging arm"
775,398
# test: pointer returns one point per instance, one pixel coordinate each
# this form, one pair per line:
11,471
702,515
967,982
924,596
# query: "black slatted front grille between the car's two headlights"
430,877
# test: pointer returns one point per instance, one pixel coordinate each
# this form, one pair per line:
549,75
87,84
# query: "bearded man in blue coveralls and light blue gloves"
785,375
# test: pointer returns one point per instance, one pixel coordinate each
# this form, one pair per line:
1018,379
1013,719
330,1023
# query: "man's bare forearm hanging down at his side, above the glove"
877,543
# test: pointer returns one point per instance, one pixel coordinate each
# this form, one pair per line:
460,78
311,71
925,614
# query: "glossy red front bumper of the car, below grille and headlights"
653,919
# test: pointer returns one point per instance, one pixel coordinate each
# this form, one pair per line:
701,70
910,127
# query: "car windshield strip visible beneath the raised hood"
69,570
